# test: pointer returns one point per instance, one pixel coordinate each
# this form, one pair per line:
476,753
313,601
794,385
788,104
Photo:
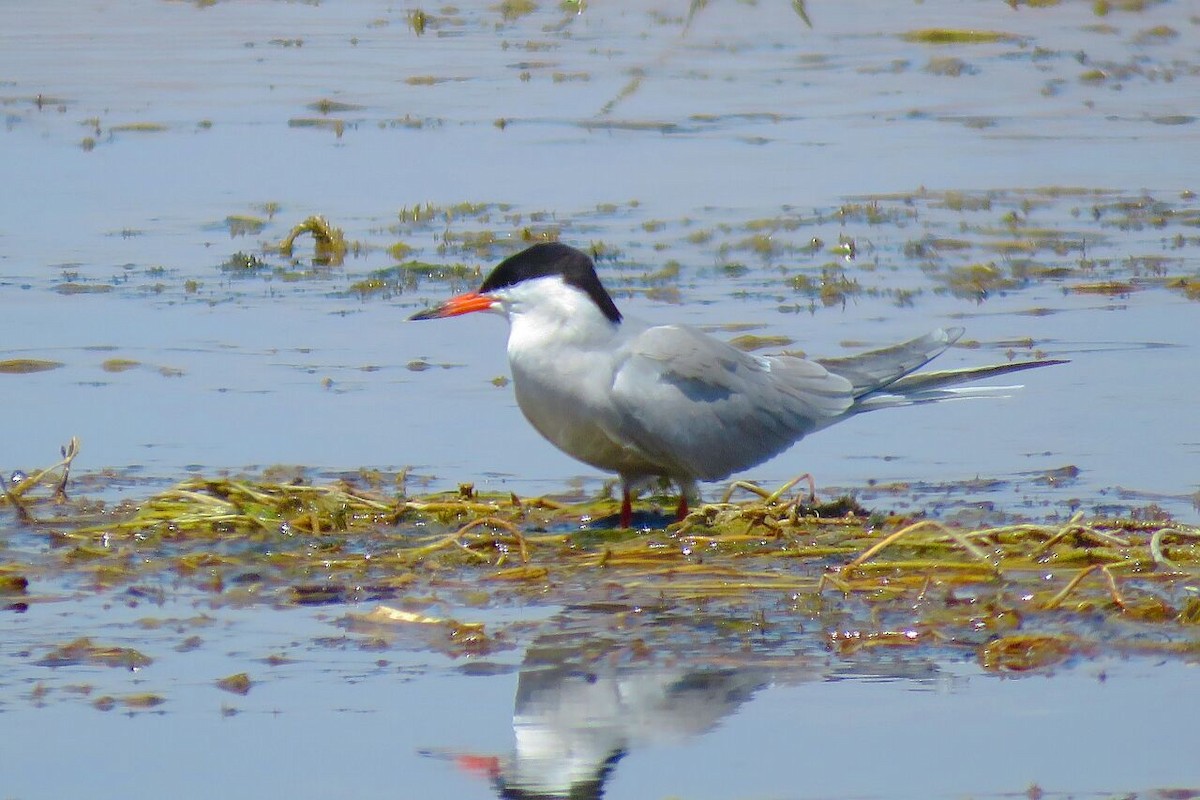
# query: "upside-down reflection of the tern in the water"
591,691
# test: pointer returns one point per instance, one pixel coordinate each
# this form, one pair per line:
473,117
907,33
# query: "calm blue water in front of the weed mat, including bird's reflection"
333,711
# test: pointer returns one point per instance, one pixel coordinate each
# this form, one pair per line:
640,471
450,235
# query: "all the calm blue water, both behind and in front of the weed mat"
1058,158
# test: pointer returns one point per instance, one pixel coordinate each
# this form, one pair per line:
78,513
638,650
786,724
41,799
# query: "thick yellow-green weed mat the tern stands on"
1018,597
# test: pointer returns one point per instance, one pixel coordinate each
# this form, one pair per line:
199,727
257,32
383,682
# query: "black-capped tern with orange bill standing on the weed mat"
669,401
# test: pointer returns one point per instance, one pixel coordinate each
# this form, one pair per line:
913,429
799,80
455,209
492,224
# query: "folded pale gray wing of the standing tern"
705,410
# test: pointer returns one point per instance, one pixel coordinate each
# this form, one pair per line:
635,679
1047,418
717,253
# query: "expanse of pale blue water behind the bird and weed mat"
745,118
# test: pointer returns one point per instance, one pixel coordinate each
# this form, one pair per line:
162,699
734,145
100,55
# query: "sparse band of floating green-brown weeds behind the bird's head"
1048,244
